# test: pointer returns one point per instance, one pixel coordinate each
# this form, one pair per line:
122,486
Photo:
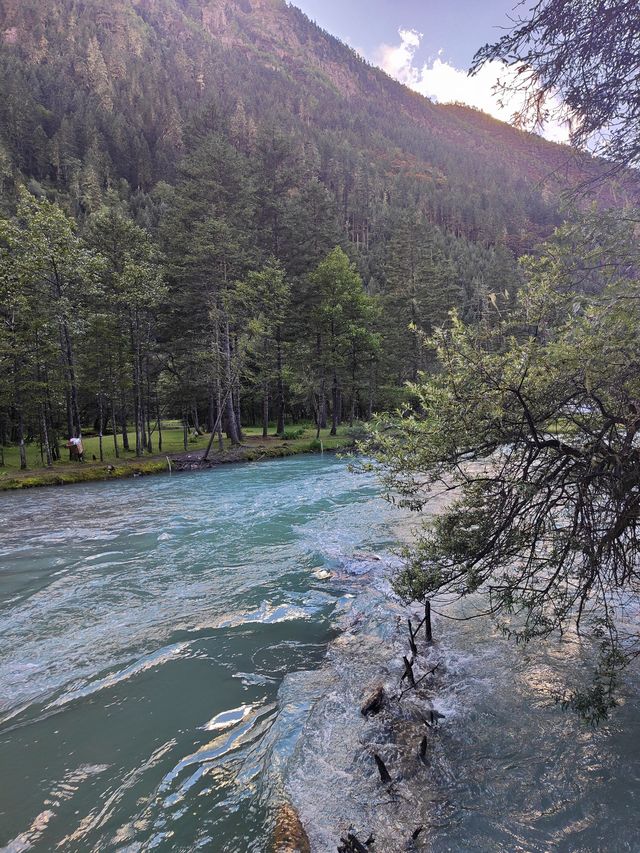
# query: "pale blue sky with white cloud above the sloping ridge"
428,45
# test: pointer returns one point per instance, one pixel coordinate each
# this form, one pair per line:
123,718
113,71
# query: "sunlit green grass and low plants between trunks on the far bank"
254,447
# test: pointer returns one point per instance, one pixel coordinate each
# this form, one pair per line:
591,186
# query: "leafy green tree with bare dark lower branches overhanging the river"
532,427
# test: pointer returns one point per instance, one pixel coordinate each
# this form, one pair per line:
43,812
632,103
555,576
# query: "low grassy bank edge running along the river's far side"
253,449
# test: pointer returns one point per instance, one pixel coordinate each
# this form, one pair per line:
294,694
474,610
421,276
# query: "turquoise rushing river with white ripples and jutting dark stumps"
172,668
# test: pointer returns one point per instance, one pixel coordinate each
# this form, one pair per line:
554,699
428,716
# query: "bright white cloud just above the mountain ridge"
444,83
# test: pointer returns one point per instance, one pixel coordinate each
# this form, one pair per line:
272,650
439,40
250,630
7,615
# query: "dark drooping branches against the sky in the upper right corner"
584,54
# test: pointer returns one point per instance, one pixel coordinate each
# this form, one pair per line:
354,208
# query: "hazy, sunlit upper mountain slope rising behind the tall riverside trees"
96,92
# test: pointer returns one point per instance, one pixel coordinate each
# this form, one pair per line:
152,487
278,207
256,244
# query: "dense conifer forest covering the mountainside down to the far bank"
216,212
